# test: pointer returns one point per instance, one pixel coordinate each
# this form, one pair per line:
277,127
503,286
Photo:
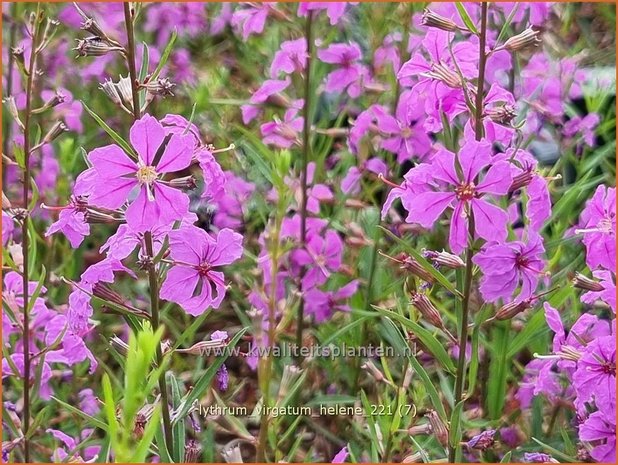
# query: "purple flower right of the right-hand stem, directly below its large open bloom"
509,265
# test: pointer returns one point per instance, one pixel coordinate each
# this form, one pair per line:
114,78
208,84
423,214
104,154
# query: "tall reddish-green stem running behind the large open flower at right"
463,335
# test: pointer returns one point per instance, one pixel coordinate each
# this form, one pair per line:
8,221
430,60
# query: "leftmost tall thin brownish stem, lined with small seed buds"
25,234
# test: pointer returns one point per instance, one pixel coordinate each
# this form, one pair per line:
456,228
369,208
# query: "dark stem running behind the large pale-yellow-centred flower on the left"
153,279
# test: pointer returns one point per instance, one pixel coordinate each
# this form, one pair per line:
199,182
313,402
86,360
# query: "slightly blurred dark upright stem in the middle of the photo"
303,176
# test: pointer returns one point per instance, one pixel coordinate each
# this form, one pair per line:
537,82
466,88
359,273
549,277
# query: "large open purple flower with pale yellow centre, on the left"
114,175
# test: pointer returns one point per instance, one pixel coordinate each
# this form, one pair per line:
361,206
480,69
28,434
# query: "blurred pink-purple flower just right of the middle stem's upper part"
350,72
